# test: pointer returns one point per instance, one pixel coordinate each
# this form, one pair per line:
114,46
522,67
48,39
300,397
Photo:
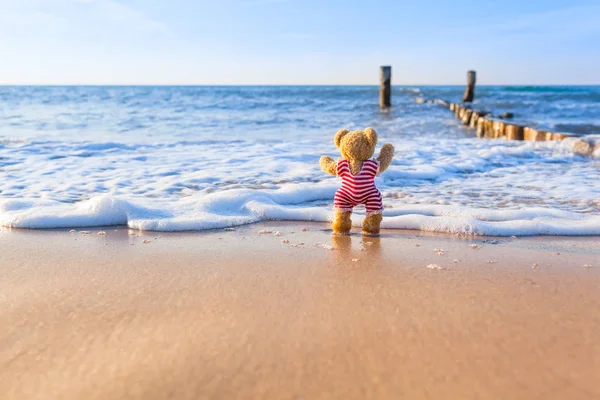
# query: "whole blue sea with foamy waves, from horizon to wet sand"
195,158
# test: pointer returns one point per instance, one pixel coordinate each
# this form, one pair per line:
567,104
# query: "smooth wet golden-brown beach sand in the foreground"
235,314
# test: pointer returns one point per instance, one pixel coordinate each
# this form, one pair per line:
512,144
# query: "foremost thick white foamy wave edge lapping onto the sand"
293,203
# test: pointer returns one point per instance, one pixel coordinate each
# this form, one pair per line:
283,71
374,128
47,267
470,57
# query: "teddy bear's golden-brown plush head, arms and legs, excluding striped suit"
357,147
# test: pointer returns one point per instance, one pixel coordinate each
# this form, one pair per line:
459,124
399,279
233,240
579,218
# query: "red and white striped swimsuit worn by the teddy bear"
358,189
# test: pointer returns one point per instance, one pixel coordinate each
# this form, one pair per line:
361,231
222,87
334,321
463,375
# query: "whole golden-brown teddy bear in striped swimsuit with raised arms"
357,169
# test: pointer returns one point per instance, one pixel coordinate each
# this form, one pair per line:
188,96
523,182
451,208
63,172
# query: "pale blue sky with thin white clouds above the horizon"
298,42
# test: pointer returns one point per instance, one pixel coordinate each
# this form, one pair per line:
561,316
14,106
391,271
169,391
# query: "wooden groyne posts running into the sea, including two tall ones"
485,124
